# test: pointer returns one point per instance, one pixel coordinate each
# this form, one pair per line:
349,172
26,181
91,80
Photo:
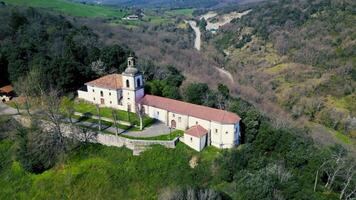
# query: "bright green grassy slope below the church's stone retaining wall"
99,172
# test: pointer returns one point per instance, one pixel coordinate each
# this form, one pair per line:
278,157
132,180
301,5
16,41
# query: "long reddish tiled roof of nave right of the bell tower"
189,109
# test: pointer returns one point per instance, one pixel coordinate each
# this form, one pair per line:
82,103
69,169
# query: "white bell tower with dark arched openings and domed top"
133,87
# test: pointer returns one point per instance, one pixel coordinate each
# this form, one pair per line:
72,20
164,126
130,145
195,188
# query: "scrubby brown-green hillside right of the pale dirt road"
298,56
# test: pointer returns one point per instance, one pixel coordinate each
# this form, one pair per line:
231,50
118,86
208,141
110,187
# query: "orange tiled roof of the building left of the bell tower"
111,81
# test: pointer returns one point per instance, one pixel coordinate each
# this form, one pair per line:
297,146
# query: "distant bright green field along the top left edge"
74,9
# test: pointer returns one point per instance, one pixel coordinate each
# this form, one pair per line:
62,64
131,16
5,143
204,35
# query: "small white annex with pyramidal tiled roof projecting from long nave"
196,137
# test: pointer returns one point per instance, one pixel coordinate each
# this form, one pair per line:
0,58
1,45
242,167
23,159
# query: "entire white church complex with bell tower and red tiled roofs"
126,92
